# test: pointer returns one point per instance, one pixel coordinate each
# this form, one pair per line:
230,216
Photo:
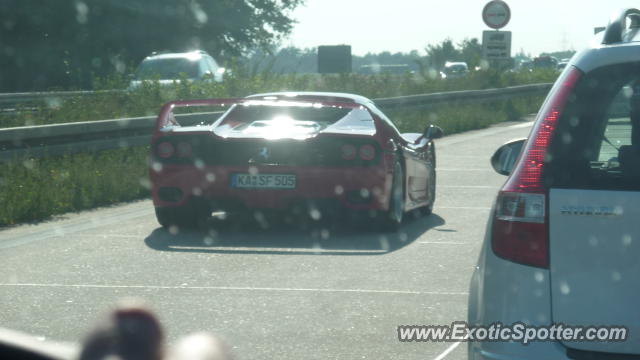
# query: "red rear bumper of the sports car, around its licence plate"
354,188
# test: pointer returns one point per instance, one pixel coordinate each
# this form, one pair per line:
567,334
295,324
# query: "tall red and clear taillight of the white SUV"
520,226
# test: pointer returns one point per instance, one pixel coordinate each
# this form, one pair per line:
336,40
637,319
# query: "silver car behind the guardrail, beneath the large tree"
170,67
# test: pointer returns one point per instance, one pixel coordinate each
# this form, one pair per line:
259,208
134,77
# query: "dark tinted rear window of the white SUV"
597,142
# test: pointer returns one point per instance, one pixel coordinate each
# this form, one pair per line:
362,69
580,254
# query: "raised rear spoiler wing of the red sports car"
166,118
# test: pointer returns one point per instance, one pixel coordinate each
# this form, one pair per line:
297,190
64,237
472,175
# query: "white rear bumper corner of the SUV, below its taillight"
506,292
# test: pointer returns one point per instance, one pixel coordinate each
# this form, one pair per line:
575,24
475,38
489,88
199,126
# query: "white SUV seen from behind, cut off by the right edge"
563,243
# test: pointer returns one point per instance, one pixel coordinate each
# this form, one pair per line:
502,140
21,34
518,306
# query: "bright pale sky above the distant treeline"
403,25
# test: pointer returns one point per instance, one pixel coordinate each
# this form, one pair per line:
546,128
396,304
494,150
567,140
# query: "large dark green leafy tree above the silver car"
65,43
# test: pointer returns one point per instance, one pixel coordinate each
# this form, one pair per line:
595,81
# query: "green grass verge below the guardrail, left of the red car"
36,189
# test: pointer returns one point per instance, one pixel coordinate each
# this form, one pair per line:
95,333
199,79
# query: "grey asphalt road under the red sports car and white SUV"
275,294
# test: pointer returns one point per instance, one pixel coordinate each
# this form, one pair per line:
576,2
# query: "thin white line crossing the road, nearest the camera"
240,288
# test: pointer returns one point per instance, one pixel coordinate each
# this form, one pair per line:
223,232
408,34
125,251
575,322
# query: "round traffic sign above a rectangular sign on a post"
496,45
